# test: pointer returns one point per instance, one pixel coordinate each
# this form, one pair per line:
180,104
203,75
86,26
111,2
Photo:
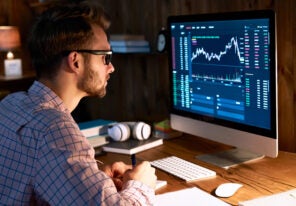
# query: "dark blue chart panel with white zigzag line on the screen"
217,58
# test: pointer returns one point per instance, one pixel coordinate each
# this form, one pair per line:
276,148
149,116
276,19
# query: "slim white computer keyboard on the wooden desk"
182,168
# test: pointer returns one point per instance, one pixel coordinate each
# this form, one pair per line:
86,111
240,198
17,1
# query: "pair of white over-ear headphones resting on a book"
122,131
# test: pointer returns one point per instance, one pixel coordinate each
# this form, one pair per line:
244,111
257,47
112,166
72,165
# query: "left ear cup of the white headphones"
119,132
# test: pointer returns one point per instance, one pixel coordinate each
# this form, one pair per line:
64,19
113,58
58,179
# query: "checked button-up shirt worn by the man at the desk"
45,159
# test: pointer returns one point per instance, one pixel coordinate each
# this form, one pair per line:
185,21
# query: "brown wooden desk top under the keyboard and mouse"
263,177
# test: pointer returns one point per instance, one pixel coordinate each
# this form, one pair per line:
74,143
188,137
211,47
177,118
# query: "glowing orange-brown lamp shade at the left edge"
9,38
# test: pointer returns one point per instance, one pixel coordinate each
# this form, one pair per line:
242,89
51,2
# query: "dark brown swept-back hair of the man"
64,26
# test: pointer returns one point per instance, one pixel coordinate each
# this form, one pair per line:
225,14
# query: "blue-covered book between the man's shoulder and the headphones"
95,127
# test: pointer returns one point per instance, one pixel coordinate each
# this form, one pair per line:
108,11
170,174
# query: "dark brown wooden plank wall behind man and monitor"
138,88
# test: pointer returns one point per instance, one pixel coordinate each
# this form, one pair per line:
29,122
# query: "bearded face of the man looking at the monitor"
96,72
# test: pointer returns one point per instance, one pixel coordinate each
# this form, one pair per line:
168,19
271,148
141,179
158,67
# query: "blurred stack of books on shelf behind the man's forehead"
123,43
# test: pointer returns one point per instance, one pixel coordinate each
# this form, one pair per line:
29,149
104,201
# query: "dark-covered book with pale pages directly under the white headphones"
132,146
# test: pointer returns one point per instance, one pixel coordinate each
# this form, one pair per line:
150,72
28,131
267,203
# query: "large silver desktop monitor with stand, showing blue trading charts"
223,74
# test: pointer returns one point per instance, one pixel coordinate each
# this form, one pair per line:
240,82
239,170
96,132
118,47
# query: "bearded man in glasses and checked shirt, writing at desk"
44,158
